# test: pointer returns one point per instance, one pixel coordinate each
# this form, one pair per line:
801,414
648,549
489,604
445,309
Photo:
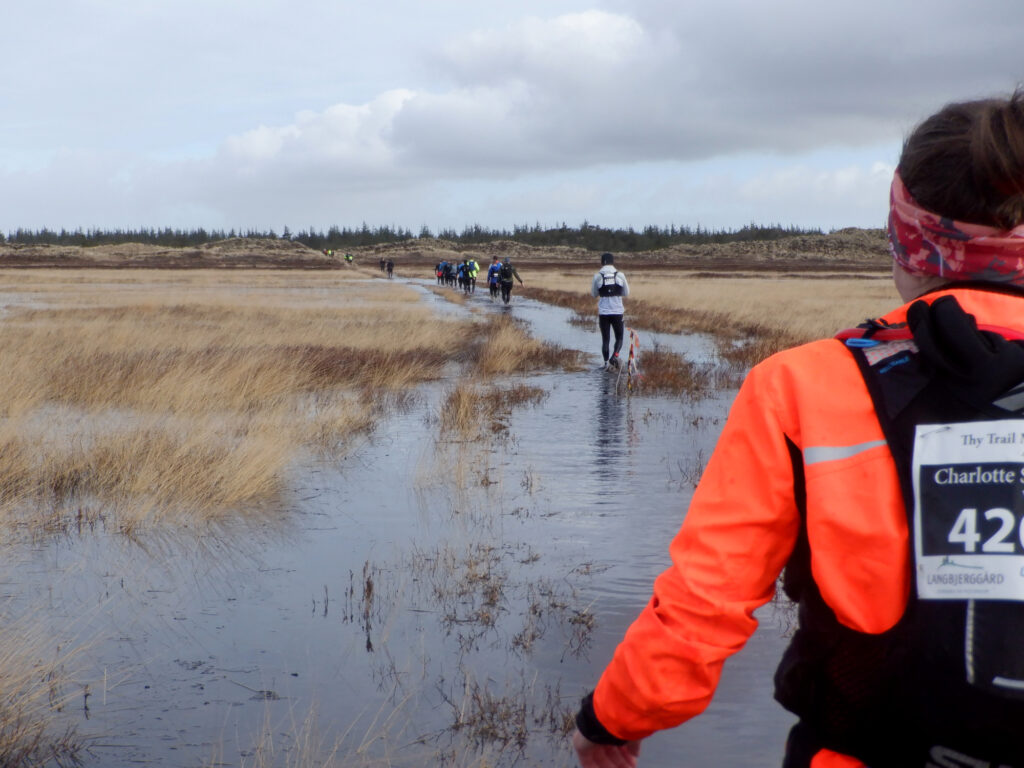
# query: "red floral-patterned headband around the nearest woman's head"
924,243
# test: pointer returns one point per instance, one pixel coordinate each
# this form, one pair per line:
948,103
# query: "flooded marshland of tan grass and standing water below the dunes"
430,517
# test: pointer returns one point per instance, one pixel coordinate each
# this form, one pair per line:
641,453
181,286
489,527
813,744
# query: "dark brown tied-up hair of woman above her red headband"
967,162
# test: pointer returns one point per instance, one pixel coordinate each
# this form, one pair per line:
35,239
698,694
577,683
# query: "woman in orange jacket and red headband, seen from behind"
882,475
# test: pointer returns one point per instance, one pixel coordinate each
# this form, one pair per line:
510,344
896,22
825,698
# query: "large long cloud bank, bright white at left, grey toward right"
600,88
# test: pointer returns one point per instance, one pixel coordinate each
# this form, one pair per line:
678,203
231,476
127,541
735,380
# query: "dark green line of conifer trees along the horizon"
586,236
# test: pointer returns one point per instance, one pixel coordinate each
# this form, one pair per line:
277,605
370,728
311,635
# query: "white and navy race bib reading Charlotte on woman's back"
969,510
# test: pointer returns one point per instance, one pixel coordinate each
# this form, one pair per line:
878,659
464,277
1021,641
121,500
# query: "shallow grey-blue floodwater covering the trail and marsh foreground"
419,596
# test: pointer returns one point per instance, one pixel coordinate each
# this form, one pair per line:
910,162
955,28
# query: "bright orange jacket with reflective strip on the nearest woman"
743,524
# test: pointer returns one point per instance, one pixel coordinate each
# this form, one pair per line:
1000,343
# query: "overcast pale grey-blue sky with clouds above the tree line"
262,114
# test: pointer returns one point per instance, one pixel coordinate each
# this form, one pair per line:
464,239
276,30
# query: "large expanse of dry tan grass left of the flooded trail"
154,396
